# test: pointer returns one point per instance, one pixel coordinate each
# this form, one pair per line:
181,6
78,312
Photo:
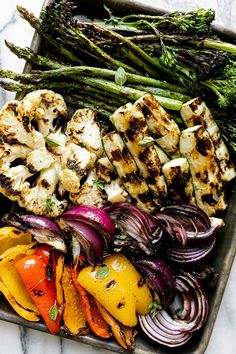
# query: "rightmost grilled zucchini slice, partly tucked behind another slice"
196,112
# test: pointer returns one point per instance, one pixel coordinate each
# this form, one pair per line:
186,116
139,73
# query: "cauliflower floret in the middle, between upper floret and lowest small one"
75,163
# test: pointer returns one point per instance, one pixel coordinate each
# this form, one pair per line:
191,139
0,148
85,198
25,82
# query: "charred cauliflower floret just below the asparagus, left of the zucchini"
83,130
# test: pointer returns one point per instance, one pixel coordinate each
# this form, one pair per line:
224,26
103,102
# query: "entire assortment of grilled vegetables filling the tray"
116,158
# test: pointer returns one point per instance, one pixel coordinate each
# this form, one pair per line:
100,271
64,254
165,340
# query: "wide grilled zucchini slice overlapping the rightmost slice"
196,145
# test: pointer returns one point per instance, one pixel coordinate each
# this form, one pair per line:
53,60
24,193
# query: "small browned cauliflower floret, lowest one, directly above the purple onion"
89,193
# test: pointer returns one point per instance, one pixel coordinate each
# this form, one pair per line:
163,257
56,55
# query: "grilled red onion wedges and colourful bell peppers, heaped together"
69,272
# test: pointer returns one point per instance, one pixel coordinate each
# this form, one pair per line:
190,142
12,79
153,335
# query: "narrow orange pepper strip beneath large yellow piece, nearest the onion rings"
124,335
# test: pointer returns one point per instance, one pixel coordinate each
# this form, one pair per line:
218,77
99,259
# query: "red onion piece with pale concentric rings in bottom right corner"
175,329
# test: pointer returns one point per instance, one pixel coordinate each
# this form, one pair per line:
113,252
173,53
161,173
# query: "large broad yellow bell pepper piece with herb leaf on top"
119,287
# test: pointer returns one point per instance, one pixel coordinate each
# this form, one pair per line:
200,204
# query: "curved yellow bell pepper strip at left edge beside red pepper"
12,285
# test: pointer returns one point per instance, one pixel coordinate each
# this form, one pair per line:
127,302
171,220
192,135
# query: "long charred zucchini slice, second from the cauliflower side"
131,124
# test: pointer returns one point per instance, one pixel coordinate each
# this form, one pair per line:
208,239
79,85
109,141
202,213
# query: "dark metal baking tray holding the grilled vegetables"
224,252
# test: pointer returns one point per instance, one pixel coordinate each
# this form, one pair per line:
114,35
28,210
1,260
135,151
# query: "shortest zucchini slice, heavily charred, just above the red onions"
179,180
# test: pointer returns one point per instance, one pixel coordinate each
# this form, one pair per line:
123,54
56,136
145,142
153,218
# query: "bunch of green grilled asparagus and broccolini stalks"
105,64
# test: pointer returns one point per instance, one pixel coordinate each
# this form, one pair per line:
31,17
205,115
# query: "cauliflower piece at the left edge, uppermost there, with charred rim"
16,129
